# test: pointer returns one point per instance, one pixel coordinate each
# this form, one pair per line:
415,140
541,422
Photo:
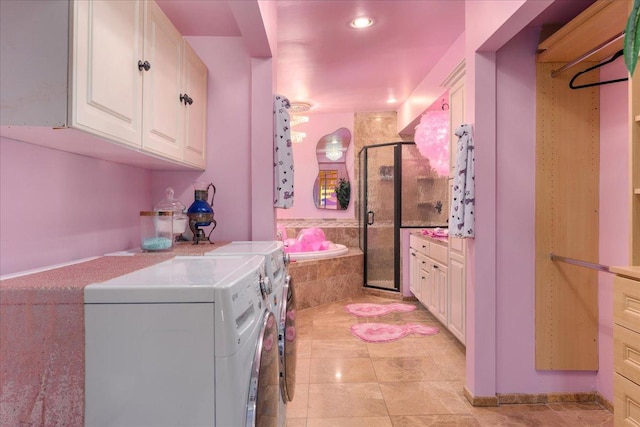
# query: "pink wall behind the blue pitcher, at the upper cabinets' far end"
228,164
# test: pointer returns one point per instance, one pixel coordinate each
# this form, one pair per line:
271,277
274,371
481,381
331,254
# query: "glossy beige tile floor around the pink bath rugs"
415,381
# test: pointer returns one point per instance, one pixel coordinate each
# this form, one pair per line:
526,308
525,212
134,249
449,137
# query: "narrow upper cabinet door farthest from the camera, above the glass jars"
194,85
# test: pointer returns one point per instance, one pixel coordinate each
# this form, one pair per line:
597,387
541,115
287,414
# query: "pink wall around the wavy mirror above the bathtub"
306,167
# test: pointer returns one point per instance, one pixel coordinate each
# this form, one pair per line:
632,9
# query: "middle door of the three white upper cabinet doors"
163,113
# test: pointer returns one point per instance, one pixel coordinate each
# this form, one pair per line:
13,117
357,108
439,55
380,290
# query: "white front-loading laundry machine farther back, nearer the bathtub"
281,303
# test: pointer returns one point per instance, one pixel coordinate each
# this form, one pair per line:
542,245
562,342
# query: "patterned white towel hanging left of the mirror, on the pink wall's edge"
282,154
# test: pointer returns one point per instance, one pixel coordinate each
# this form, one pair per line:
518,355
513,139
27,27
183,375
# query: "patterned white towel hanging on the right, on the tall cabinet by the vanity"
461,220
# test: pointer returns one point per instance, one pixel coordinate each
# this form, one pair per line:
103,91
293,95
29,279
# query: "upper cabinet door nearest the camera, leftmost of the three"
105,81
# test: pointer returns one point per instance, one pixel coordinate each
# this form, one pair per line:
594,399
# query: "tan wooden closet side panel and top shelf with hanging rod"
567,185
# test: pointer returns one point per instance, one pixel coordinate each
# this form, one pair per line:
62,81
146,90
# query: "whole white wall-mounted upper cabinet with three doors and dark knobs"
115,70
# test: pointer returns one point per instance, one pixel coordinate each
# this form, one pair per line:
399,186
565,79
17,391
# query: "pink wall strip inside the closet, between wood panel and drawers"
614,207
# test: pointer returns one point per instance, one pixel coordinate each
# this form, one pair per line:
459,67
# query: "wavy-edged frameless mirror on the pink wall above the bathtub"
332,189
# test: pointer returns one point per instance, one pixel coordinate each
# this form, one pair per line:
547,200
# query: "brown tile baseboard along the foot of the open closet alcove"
538,398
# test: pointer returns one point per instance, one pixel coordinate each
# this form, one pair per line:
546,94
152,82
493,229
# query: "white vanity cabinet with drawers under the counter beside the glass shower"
437,280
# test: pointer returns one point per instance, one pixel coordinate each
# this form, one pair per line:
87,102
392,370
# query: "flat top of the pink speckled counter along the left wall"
67,281
